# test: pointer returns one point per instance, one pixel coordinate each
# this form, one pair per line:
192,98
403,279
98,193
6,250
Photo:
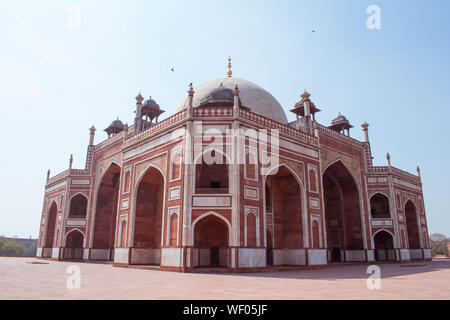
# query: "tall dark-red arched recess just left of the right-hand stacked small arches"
343,216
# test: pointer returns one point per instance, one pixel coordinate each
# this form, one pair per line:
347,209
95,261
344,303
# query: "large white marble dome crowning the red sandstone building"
252,96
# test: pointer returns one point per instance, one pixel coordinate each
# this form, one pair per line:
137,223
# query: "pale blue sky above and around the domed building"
55,81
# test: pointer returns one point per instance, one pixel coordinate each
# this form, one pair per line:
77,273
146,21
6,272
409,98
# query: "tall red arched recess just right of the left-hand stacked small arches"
105,215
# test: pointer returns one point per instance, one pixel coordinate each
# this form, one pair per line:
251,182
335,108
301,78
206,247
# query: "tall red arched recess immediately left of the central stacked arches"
148,219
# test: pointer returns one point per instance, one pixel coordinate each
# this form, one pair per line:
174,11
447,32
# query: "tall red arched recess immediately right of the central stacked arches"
284,196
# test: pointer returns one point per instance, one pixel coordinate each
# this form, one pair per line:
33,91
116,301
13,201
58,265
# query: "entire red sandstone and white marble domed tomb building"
147,197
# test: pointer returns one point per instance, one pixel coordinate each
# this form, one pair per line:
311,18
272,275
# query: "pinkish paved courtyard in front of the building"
23,278
